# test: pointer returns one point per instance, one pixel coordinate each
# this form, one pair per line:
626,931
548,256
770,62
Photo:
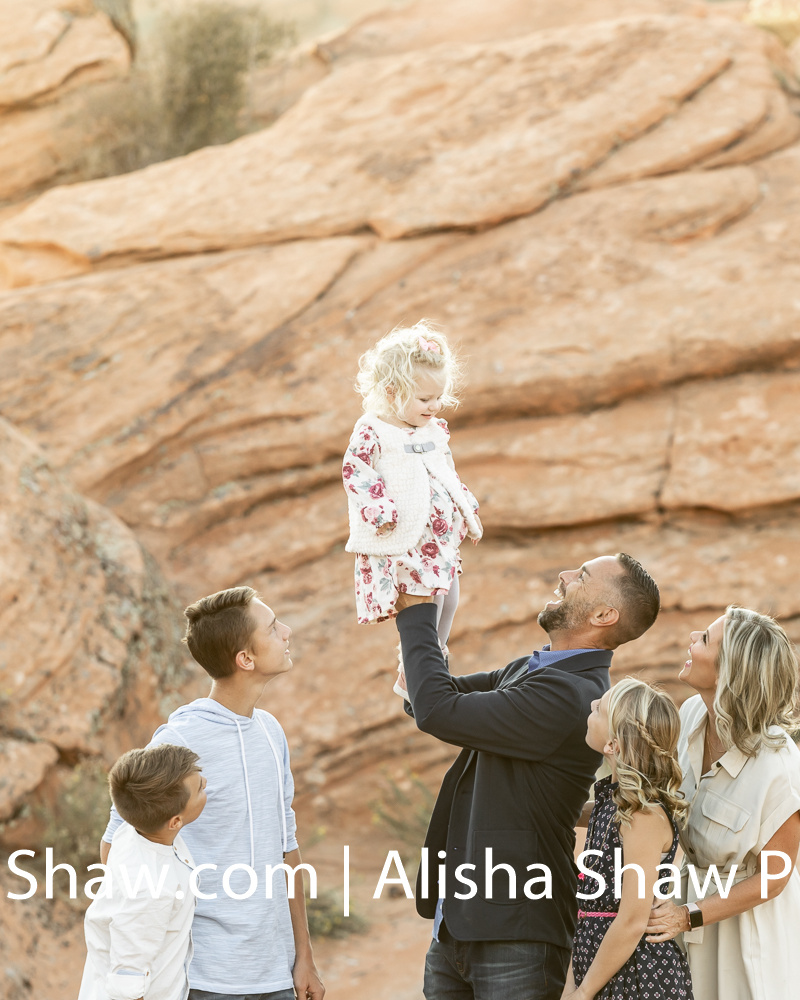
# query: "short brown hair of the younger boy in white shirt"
148,787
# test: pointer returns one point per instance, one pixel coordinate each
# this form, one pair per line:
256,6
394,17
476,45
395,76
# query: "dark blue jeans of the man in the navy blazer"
494,970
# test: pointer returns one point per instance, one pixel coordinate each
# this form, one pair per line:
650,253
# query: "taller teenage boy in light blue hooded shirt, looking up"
250,941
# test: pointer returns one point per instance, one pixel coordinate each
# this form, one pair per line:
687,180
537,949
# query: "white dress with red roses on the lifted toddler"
426,570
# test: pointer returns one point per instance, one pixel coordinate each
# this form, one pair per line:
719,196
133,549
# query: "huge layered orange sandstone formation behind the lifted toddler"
602,219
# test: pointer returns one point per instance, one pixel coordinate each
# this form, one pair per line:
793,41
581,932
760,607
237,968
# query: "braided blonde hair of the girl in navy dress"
645,723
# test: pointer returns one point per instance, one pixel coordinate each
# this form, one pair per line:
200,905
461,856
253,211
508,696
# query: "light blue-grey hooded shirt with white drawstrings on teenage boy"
240,945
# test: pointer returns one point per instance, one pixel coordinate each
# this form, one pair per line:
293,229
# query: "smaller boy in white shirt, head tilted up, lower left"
138,929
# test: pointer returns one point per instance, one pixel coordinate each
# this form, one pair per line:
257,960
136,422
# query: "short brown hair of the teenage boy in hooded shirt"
218,627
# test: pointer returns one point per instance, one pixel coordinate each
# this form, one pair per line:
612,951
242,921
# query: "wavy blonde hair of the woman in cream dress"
756,682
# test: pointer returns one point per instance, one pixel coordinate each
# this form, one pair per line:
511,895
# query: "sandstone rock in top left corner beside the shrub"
50,52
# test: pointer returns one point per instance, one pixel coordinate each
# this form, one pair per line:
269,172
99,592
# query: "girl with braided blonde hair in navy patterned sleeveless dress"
636,809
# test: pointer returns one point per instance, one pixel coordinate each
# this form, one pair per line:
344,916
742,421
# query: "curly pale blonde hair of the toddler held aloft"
395,362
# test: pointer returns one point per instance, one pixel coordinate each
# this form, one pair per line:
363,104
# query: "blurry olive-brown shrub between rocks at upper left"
188,88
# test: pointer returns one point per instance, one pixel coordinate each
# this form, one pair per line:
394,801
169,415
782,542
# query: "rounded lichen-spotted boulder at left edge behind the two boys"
88,654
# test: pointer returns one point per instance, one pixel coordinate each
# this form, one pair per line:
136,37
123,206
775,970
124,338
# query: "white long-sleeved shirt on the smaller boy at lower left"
140,946
